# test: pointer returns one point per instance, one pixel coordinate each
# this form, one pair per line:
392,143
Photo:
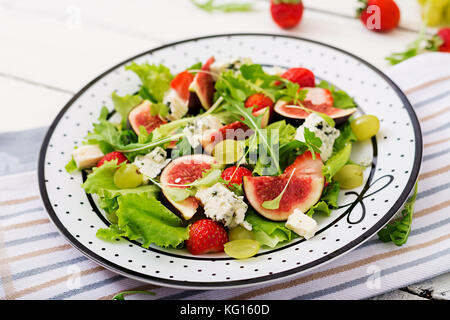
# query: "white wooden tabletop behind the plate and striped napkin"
50,49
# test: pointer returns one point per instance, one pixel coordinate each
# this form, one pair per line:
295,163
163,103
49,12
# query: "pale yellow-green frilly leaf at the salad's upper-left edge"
155,80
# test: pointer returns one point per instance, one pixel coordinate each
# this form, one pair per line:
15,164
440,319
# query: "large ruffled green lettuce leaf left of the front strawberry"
144,218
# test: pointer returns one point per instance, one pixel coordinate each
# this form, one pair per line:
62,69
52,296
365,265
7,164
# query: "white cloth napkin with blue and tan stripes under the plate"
37,263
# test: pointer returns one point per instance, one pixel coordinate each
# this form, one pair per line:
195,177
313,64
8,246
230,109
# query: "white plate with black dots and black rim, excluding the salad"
396,154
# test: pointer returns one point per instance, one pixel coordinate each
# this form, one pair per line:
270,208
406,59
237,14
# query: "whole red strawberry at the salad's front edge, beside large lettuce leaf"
206,236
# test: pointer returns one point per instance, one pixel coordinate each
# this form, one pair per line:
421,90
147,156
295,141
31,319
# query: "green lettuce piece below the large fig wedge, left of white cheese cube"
266,232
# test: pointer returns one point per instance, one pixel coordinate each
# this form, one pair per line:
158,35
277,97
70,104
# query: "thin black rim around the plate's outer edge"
232,283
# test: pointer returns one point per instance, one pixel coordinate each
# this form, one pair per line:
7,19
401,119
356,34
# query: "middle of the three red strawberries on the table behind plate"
379,15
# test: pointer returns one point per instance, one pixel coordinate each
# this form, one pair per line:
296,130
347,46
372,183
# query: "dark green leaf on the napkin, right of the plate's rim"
398,232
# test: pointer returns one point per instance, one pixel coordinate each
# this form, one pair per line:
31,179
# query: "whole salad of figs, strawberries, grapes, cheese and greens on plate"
227,157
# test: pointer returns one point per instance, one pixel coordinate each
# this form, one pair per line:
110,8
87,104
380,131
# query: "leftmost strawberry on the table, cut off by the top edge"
286,13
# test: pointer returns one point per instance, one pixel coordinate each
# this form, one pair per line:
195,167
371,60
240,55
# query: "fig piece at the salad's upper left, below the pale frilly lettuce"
141,116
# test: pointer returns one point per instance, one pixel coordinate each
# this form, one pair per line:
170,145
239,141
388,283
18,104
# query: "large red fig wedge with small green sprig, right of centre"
303,191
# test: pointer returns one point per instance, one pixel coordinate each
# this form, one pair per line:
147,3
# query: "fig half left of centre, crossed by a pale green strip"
181,171
